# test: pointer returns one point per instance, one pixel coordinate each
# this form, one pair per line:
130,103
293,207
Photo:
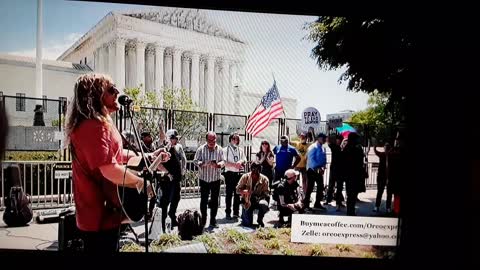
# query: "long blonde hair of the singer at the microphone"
87,102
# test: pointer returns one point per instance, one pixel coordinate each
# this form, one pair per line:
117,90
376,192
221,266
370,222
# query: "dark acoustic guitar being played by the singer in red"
130,200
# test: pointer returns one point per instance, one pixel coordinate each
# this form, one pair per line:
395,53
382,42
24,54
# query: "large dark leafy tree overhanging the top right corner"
377,52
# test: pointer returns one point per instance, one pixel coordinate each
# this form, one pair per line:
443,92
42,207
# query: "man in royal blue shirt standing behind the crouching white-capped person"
285,155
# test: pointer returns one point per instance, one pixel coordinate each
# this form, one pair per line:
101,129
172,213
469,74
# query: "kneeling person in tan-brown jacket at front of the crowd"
255,193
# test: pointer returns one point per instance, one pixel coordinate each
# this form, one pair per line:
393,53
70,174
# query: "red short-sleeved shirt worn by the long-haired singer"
95,144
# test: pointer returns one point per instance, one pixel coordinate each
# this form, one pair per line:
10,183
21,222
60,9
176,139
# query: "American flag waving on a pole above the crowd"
269,108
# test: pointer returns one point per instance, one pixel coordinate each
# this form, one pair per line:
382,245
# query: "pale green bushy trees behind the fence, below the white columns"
150,116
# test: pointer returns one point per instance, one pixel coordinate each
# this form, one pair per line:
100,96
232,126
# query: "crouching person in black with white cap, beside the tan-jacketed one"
289,196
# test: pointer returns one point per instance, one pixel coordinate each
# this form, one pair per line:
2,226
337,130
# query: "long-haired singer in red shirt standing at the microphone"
97,168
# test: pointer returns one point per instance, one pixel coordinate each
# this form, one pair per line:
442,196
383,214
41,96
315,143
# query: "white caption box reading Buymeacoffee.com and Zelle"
344,230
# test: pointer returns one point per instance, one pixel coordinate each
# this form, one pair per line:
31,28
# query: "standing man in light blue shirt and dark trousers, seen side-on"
316,162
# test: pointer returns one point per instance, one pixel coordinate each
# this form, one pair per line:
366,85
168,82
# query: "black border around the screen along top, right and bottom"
442,111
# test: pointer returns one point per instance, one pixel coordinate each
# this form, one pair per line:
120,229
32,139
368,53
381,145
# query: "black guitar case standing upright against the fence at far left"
18,211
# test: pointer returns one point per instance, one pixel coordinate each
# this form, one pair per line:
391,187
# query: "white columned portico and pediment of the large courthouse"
165,47
